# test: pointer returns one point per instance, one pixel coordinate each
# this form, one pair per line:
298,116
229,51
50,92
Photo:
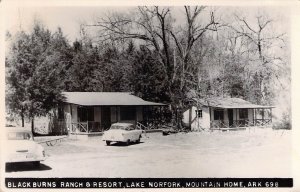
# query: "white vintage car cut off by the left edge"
22,147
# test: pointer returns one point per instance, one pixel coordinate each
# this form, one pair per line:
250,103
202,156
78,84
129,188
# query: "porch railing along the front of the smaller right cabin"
240,123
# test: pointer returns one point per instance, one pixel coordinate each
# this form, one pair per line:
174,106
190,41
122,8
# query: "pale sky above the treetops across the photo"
69,18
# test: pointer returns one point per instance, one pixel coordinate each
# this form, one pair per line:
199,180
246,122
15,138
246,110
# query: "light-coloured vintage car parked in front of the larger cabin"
122,132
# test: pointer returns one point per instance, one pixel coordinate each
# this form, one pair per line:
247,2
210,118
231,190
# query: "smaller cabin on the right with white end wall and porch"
225,113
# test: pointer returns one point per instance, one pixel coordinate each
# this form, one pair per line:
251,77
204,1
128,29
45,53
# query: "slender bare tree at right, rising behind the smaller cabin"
260,44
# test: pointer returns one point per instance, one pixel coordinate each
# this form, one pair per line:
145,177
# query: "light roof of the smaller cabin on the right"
231,103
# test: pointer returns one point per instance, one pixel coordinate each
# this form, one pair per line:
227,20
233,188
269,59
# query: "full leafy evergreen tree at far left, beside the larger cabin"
34,77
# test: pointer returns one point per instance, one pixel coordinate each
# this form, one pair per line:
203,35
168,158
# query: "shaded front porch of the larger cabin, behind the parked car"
100,118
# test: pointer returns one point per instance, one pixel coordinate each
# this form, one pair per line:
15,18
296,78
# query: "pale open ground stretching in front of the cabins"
247,153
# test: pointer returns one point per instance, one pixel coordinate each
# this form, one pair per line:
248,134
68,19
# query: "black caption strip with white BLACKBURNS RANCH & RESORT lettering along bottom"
148,182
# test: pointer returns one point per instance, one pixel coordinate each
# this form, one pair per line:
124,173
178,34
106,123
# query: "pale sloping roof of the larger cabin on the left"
106,98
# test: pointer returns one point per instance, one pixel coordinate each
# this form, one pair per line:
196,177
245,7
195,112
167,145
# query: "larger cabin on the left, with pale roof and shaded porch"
96,111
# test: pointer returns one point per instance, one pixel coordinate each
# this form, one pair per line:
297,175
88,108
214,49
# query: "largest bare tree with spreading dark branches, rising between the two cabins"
155,27
